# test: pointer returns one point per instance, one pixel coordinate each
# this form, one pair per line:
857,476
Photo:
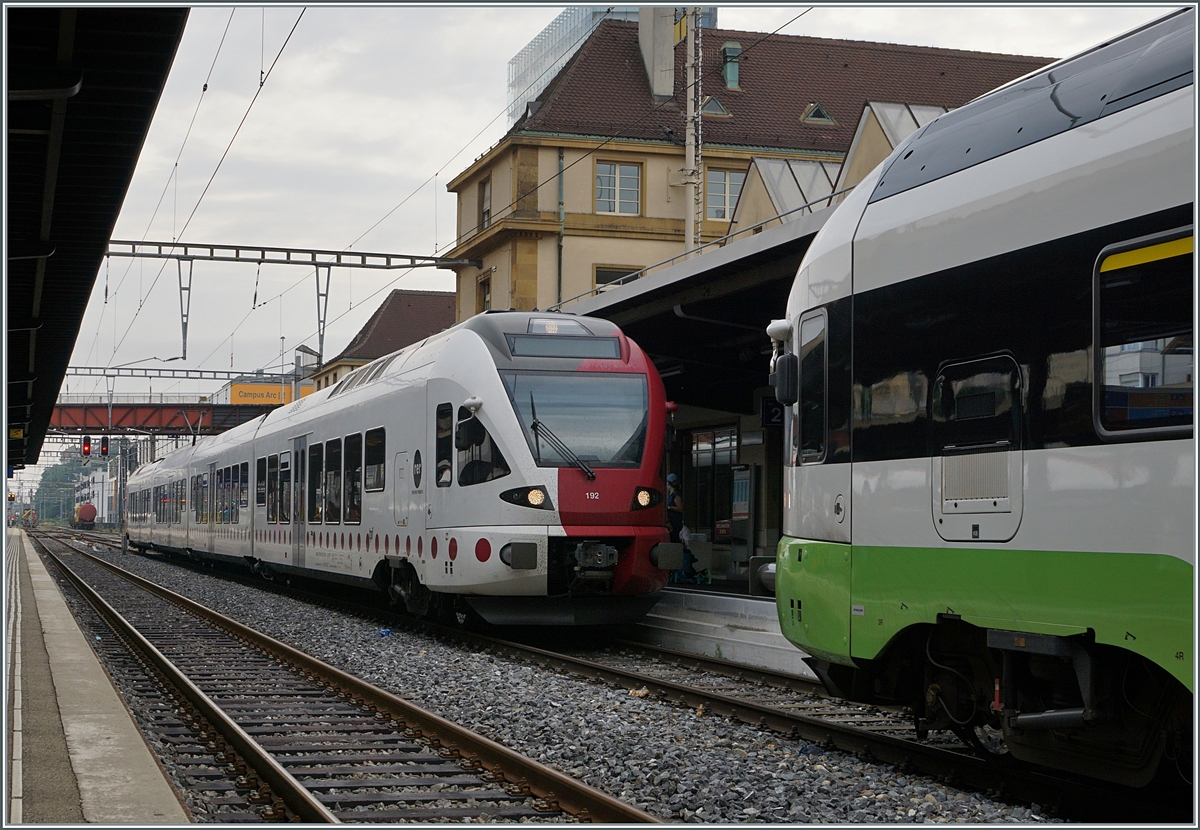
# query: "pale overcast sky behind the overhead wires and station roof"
364,118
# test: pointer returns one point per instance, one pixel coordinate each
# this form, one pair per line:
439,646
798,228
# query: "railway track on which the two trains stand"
799,708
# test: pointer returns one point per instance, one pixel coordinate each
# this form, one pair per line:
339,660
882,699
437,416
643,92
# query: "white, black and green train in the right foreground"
987,366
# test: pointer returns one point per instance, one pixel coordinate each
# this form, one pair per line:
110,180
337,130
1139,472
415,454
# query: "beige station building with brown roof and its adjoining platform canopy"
581,207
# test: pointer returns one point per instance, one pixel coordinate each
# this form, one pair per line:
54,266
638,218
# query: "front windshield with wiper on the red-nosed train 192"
599,417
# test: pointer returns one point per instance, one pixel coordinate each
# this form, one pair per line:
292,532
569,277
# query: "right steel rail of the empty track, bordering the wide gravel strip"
547,784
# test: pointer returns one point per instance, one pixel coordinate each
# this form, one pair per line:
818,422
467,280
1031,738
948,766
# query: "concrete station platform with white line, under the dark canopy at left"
74,754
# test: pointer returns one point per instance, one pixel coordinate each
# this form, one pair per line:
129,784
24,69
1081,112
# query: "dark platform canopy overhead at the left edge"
83,87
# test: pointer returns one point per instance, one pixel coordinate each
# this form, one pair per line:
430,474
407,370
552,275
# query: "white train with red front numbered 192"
509,467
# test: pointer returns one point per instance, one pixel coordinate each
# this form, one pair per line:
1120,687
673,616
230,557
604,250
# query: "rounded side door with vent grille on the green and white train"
977,477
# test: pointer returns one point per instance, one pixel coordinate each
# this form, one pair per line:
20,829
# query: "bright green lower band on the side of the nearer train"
1141,603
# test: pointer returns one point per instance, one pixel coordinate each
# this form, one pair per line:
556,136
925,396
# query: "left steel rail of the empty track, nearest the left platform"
293,795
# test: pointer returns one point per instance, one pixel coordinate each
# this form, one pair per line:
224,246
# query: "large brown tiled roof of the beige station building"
604,89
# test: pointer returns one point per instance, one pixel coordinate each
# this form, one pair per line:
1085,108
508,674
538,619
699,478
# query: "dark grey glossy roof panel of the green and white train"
1144,64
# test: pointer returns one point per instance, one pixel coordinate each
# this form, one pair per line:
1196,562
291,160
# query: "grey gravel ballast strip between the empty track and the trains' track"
676,763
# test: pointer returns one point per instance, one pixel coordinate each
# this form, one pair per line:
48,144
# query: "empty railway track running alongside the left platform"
275,735
